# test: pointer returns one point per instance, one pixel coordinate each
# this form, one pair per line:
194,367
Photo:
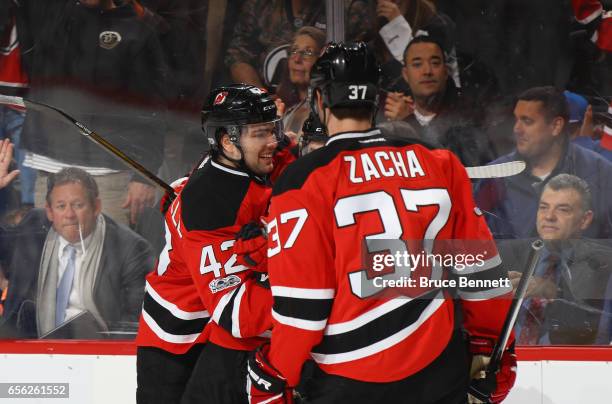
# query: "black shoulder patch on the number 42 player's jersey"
213,196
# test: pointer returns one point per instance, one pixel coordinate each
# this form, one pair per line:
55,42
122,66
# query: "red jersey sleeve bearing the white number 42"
235,299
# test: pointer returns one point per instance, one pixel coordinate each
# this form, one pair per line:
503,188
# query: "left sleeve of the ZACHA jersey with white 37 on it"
302,280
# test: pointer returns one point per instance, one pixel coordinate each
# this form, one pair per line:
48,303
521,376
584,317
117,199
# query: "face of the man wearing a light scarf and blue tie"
70,207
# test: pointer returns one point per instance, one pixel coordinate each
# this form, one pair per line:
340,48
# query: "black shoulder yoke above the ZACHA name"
296,174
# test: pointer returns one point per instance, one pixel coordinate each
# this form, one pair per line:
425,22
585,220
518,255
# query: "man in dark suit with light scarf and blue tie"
69,259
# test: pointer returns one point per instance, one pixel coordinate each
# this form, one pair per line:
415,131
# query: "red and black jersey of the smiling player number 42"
198,278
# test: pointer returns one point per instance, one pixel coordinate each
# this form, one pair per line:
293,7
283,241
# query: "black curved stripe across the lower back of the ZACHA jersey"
376,330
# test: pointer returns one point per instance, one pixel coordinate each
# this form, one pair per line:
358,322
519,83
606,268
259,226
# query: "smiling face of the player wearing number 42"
258,143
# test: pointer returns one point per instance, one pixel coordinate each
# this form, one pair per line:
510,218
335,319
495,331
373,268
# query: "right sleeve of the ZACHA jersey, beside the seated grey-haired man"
484,308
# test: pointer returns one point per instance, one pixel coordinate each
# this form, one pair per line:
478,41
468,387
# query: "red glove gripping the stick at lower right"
490,388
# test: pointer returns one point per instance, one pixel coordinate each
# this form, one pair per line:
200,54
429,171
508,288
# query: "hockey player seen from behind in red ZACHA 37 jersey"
362,188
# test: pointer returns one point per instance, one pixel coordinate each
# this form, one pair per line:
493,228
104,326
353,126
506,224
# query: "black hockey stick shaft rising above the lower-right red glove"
519,297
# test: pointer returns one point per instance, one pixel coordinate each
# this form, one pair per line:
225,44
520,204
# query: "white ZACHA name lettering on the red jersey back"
374,165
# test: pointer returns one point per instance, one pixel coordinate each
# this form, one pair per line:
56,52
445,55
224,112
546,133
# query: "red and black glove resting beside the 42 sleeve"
251,247
